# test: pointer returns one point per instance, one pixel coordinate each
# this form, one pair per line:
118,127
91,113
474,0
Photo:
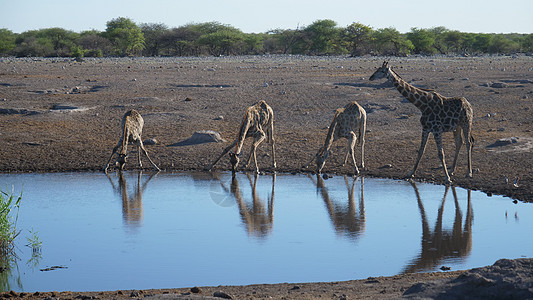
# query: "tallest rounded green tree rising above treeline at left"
126,37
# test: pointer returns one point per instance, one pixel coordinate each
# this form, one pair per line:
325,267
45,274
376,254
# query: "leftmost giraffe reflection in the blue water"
132,206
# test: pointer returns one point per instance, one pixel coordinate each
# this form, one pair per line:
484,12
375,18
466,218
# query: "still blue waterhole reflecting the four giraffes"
140,231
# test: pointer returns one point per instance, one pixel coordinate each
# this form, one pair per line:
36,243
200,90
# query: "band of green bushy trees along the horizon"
123,37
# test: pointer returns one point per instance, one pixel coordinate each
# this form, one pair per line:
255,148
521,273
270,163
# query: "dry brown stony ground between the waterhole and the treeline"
62,115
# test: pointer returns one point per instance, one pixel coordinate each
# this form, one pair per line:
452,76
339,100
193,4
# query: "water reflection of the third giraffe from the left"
347,220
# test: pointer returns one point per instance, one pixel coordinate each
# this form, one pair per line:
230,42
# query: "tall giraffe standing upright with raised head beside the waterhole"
439,114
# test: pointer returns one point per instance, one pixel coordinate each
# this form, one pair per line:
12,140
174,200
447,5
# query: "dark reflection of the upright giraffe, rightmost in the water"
443,243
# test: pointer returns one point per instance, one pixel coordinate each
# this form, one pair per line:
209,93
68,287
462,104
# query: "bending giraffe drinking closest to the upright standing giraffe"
348,122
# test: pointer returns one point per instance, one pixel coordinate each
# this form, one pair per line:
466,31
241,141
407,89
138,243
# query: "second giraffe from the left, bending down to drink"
258,122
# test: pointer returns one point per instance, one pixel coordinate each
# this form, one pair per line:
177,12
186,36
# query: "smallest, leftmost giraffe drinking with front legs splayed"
132,126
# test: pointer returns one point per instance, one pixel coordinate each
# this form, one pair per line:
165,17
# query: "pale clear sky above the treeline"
251,16
